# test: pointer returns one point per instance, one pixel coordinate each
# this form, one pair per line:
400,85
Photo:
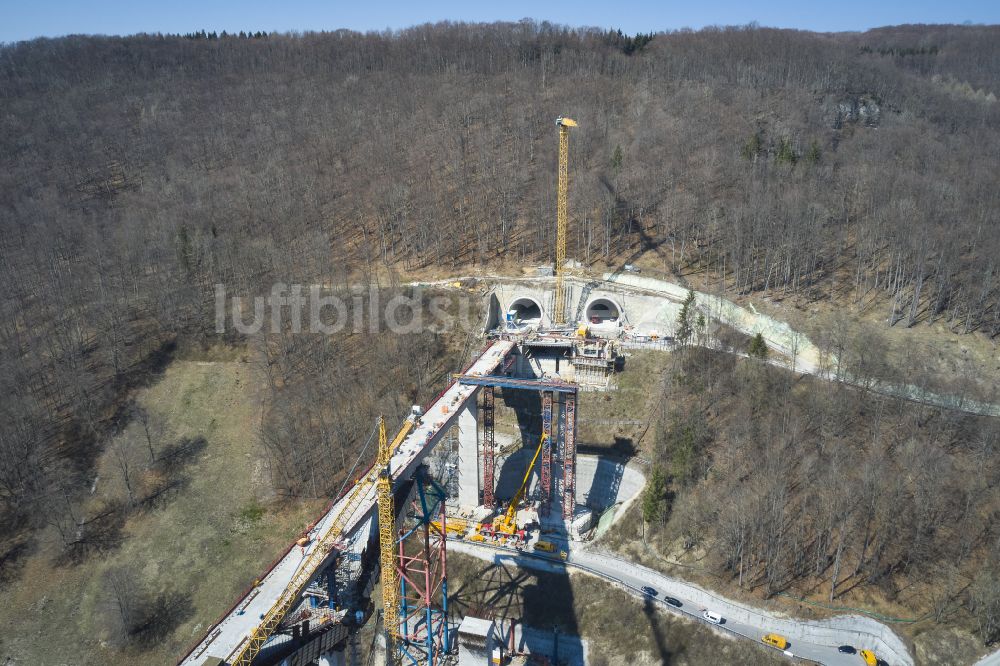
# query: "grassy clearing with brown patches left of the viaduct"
192,552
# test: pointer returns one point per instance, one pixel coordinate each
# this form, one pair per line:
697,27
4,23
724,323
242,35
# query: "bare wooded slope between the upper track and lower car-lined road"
778,486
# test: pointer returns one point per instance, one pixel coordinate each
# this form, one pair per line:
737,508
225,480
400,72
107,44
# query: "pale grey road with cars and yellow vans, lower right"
820,650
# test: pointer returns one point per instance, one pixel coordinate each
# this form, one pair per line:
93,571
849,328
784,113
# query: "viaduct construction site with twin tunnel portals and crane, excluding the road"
491,461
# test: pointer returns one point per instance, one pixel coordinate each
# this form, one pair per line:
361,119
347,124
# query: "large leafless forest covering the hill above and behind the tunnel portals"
137,173
